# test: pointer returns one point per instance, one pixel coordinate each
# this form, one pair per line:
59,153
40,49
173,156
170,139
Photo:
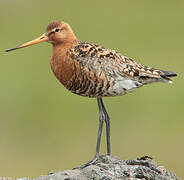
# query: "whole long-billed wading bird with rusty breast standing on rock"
94,71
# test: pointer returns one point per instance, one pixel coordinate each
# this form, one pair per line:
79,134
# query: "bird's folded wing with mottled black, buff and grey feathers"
112,62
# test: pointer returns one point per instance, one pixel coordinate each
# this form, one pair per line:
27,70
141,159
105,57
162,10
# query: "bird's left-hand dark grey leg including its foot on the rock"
102,117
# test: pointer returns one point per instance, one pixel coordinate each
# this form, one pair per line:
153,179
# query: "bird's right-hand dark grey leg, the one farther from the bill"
107,121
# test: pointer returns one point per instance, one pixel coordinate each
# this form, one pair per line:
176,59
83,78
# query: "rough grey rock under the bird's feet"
112,168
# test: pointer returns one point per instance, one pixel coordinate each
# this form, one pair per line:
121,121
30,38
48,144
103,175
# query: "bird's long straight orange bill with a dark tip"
40,39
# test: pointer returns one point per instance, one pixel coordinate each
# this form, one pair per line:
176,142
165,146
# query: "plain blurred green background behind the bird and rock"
44,127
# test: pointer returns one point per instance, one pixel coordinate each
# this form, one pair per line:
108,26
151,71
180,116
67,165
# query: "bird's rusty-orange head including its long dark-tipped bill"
57,32
